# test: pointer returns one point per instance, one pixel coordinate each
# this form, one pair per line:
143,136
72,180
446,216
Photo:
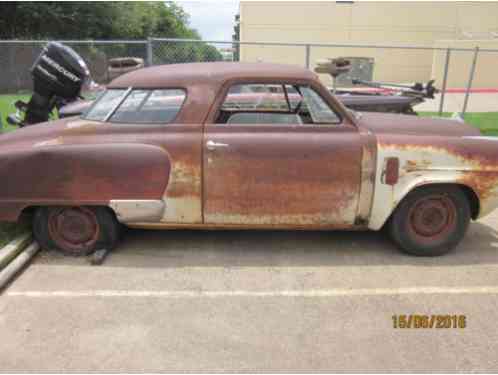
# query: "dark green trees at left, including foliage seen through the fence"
101,21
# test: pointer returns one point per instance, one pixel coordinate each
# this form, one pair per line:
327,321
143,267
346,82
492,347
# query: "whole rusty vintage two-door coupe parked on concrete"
222,145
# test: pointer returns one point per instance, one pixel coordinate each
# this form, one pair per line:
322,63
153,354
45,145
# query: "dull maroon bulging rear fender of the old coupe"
81,173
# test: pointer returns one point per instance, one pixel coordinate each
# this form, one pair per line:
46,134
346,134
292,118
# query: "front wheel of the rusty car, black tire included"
430,221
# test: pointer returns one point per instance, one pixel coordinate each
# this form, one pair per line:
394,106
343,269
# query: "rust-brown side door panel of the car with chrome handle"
281,174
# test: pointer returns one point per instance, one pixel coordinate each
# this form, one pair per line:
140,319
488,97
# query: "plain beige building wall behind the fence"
386,23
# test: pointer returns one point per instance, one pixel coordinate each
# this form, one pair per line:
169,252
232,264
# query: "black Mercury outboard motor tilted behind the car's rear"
59,74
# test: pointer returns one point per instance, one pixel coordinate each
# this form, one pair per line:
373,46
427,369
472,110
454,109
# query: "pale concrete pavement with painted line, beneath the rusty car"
254,301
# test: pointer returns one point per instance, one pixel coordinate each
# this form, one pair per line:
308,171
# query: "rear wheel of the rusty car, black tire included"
76,231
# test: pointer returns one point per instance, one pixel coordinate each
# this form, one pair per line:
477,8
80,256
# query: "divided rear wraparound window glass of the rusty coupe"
137,106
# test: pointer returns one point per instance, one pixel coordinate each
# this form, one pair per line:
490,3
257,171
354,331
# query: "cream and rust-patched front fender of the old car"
427,164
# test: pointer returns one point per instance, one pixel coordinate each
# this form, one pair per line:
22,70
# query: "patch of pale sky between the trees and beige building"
213,19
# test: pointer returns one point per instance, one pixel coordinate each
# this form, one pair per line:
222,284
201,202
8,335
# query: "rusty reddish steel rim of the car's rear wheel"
74,229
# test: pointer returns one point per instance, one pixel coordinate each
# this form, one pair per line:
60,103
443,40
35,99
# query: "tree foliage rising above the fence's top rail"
93,20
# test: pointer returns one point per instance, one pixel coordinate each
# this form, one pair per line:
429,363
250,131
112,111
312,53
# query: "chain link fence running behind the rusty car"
455,68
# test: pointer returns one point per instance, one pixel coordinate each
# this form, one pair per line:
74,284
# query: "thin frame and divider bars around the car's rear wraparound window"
128,90
